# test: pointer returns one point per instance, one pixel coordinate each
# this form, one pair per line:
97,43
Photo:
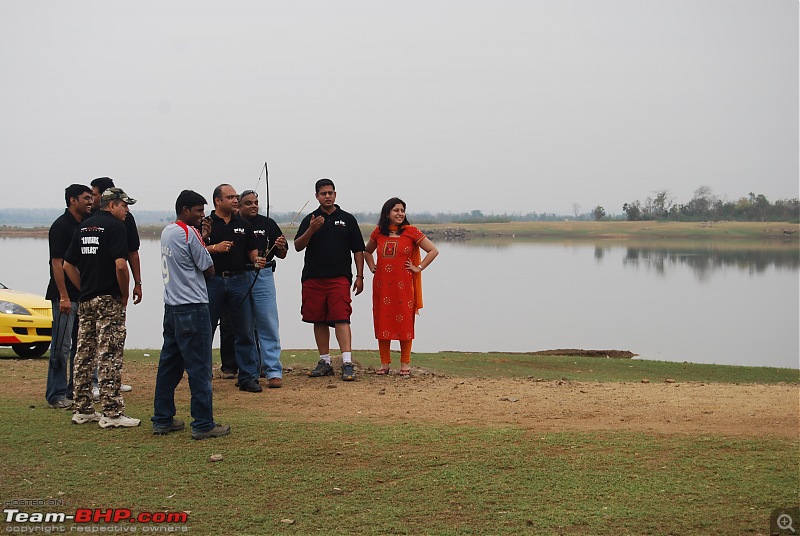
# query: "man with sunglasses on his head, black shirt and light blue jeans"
271,244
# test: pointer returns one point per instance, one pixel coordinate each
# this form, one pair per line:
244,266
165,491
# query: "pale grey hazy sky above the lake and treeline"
453,105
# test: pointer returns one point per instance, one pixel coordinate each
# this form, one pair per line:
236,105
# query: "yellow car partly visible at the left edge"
26,322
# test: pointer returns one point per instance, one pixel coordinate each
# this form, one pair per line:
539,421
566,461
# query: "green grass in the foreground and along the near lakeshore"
292,476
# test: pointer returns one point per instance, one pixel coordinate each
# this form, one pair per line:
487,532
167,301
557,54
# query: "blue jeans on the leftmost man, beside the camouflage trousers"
63,344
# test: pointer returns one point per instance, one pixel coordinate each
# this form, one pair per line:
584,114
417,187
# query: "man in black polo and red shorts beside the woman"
329,235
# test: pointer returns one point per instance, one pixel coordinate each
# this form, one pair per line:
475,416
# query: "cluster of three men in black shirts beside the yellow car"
91,247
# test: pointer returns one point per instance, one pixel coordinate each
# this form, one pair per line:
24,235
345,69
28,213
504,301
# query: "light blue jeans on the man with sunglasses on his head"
265,312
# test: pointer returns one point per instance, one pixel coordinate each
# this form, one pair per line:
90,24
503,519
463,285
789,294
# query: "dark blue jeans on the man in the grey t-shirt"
187,346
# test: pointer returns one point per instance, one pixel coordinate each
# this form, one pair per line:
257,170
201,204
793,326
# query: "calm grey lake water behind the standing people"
725,303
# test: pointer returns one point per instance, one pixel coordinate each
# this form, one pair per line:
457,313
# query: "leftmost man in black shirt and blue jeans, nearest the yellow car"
64,297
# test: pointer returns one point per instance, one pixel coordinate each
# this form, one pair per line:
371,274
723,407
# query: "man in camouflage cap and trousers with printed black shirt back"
97,264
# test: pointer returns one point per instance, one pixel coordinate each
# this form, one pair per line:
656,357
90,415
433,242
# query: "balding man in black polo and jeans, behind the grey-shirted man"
233,248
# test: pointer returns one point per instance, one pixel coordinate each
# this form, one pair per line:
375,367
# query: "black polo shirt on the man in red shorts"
328,252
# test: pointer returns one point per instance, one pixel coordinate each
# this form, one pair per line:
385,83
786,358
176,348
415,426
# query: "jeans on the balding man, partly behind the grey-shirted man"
229,295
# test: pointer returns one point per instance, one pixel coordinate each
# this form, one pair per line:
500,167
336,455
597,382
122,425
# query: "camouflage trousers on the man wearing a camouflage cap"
101,341
